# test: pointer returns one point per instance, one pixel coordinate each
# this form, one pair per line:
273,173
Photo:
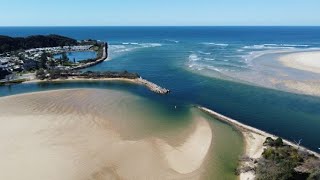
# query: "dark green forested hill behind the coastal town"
8,44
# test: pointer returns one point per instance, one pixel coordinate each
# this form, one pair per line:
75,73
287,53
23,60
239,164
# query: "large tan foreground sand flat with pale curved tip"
88,134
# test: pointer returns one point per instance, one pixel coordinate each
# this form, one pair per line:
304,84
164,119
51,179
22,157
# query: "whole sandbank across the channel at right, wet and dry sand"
291,71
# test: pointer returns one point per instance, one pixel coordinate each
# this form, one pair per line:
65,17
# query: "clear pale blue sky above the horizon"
158,12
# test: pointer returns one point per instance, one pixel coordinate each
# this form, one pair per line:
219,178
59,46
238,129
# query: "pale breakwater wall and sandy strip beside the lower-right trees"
254,139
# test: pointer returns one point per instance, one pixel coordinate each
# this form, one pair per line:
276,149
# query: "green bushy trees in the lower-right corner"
284,162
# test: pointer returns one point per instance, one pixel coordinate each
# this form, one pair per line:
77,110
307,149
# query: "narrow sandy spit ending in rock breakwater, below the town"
139,81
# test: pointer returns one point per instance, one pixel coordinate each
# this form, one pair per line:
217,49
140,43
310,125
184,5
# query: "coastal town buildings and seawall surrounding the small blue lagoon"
20,62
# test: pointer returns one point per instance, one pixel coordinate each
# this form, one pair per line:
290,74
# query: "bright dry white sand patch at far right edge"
306,61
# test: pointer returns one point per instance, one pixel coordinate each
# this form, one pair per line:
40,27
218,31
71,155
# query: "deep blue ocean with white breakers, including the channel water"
213,67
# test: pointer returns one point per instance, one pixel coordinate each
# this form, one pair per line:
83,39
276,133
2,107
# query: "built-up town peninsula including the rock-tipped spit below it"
40,64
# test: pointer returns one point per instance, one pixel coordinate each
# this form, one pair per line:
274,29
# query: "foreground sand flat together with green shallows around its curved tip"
92,133
